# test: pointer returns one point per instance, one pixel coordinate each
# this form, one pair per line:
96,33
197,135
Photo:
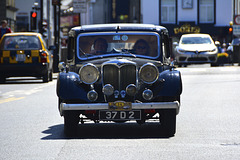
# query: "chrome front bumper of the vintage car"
104,106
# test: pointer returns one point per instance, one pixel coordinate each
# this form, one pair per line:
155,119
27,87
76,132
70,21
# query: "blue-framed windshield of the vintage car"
137,44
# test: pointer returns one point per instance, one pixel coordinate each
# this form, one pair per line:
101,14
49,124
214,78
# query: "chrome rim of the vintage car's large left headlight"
96,71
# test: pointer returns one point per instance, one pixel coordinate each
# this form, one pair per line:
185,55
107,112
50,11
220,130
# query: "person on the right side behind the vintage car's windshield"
141,47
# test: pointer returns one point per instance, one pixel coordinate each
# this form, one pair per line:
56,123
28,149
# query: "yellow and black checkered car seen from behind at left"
24,54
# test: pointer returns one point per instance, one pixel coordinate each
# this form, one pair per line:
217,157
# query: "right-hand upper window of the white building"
206,11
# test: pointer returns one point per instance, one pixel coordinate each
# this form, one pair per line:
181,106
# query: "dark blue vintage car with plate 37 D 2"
119,73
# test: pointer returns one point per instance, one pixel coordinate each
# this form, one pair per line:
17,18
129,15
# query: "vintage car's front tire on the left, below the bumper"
71,121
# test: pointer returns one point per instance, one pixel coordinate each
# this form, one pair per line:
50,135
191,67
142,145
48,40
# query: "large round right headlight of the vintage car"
149,73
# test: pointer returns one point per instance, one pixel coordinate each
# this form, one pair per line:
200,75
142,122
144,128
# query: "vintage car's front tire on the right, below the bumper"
168,122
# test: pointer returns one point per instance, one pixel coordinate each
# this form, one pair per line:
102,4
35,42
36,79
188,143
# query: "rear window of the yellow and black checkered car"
21,43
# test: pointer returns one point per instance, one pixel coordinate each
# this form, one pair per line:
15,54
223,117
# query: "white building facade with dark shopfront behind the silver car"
191,16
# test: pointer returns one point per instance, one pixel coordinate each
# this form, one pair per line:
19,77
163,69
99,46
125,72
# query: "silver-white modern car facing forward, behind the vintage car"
195,49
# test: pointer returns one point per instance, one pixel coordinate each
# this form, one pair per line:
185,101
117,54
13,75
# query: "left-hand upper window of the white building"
168,11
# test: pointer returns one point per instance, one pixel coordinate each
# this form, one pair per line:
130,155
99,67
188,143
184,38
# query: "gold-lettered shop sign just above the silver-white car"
186,28
